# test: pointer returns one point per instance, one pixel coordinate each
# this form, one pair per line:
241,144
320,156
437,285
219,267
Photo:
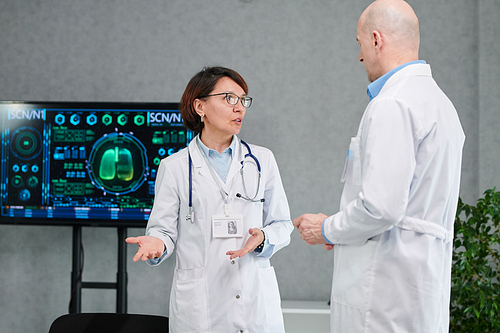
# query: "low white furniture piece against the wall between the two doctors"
306,316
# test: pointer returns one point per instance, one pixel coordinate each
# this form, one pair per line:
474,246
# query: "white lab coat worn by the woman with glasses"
211,293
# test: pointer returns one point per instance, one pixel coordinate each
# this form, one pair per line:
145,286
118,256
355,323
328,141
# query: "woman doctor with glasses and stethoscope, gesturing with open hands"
222,204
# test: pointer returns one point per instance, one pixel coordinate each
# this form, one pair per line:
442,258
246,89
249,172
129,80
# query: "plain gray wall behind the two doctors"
300,61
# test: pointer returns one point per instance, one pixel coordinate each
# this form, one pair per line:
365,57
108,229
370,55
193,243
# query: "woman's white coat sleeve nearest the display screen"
165,213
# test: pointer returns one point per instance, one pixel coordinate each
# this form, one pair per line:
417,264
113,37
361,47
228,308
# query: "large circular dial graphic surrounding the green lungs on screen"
118,163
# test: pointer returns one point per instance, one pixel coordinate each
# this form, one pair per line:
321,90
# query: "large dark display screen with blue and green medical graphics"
84,163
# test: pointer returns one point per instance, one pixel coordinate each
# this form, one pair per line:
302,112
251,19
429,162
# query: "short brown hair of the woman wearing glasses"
203,83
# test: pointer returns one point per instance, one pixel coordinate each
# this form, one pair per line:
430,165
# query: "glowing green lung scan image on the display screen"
116,163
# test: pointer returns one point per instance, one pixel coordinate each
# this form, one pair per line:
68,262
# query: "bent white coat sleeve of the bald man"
388,140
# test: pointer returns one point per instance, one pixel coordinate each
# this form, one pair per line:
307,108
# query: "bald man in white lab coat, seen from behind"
392,238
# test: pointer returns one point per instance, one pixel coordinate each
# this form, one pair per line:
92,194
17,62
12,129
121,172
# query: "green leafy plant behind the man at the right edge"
475,300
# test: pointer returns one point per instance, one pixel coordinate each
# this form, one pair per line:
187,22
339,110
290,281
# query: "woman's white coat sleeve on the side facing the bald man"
276,215
